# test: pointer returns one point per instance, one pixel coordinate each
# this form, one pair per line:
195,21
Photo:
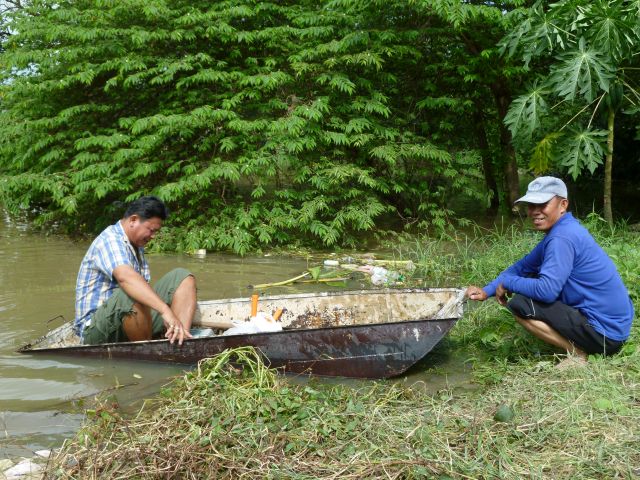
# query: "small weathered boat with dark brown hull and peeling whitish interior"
357,334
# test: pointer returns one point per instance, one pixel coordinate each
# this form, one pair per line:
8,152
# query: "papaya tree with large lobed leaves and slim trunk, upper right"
583,56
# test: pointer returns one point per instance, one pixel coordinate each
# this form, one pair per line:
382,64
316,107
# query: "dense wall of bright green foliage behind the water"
259,123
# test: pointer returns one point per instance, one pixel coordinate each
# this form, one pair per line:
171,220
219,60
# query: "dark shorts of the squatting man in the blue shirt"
567,321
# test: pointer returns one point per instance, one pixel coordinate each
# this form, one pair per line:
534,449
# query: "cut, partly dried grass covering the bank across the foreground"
234,418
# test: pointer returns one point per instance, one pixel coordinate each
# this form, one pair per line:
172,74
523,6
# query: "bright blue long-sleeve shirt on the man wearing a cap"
569,266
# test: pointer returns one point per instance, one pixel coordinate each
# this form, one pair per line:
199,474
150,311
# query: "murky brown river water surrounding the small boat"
37,281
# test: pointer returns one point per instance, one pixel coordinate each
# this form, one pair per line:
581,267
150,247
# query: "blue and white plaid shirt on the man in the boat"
95,282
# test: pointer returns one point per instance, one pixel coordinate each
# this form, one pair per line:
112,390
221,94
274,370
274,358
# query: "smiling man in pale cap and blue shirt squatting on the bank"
567,291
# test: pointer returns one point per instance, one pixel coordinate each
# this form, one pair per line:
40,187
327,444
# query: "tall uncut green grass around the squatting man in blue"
477,257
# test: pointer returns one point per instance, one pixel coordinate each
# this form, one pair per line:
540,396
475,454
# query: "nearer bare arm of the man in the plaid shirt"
134,285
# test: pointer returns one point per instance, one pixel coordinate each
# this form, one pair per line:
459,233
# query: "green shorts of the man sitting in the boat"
106,322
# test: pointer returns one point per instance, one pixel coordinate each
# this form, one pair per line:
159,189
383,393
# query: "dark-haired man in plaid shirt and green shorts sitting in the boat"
114,301
